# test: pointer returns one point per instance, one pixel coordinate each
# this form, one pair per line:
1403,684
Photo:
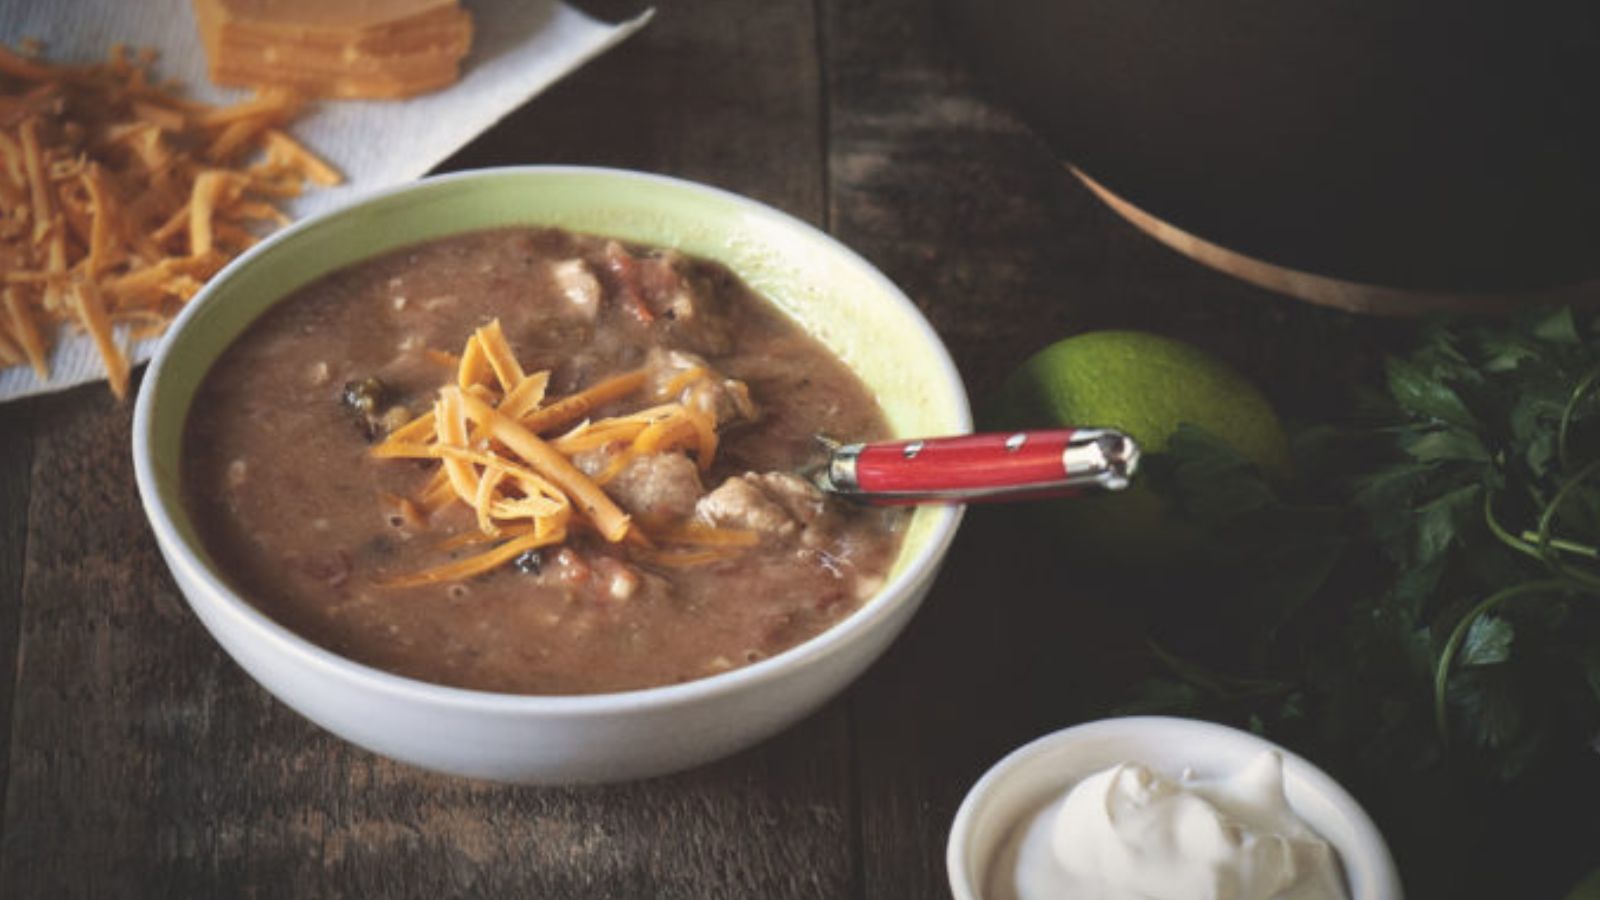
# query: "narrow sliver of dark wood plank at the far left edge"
17,475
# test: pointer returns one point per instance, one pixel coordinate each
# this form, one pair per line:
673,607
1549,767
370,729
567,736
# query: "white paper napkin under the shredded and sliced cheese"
519,49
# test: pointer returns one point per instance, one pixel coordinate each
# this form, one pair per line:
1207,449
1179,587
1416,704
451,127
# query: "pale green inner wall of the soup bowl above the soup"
830,292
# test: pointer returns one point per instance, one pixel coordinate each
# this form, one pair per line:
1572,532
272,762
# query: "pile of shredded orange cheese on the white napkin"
119,199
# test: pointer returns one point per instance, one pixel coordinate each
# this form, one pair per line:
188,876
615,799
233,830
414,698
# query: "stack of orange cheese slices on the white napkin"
337,49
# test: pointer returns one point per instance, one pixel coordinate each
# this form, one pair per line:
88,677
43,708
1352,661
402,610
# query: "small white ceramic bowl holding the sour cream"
1026,781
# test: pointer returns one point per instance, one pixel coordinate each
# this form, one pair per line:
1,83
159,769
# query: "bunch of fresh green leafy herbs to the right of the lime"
1422,605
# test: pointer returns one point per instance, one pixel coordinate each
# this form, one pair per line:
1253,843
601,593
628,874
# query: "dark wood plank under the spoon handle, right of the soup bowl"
1006,252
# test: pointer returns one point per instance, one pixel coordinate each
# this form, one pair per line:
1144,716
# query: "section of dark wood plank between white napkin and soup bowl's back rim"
714,90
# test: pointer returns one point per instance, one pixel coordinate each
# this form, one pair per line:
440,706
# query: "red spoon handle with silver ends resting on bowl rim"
975,468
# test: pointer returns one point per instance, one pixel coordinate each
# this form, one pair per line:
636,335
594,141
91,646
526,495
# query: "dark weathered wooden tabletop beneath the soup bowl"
143,763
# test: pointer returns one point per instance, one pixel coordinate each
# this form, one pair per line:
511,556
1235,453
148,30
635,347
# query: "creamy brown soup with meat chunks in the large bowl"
302,518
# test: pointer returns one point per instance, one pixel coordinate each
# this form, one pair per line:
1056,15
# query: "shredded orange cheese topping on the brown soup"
526,491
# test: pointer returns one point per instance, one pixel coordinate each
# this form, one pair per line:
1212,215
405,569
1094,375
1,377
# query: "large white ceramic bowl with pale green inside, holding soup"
817,281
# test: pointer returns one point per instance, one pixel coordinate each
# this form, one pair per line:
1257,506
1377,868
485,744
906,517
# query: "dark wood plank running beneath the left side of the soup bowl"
146,765
